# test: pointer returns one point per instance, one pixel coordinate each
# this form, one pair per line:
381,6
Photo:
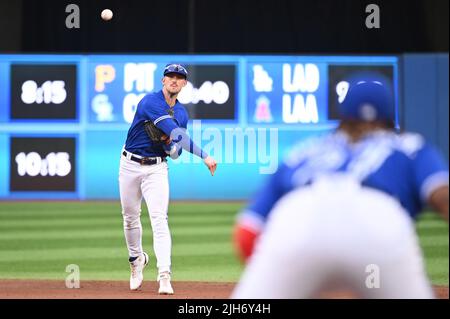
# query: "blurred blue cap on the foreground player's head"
369,98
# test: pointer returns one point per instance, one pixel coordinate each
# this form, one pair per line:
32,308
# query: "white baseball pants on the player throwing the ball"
150,182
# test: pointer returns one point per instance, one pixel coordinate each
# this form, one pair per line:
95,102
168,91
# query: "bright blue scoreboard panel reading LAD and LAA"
287,93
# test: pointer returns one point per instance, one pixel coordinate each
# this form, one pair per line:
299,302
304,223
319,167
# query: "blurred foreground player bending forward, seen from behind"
339,212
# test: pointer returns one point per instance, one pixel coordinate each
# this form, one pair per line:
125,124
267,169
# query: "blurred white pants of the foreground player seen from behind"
336,235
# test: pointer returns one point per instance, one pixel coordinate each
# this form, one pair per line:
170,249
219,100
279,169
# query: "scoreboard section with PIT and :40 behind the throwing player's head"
115,89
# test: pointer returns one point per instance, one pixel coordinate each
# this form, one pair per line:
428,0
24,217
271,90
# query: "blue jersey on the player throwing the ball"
153,107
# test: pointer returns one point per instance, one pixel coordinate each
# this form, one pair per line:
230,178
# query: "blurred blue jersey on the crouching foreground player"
401,165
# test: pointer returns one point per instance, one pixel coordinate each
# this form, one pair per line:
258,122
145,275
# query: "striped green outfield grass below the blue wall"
39,239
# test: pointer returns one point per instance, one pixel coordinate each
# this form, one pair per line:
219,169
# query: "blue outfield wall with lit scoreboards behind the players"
64,118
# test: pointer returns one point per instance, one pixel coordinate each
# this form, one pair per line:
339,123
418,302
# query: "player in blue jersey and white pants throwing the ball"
157,131
